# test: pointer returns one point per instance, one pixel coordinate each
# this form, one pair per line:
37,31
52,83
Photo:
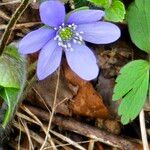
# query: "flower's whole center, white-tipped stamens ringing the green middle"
66,35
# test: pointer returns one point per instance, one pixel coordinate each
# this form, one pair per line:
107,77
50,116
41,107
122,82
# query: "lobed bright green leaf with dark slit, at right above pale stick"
132,88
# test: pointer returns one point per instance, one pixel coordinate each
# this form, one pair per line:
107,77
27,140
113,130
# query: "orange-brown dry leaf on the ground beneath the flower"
87,102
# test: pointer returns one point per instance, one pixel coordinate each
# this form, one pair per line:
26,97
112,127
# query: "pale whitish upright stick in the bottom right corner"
143,130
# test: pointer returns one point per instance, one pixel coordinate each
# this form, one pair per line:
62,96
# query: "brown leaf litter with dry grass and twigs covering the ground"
78,114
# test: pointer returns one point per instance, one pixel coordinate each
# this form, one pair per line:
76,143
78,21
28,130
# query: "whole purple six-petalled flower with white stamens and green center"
67,33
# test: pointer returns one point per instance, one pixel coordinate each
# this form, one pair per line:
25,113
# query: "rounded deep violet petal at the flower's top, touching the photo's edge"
52,13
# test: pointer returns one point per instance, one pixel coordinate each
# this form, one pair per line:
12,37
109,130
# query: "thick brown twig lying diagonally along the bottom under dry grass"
87,130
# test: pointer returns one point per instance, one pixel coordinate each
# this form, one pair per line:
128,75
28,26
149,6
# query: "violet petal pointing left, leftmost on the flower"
35,40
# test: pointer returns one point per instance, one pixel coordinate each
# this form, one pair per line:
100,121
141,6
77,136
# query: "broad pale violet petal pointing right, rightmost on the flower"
99,32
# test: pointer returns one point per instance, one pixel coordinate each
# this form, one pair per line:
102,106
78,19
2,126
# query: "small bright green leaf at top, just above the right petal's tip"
116,12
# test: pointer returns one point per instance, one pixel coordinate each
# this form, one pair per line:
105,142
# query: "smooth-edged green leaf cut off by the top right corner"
138,17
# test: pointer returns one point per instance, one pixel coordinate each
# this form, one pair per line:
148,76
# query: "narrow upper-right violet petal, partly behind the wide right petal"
85,16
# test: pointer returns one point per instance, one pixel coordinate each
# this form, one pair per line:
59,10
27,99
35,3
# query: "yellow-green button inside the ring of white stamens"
65,34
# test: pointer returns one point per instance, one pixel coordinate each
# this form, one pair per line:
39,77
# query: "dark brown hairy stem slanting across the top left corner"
4,40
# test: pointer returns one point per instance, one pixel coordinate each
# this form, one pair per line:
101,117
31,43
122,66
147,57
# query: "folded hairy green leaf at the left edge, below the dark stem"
12,80
